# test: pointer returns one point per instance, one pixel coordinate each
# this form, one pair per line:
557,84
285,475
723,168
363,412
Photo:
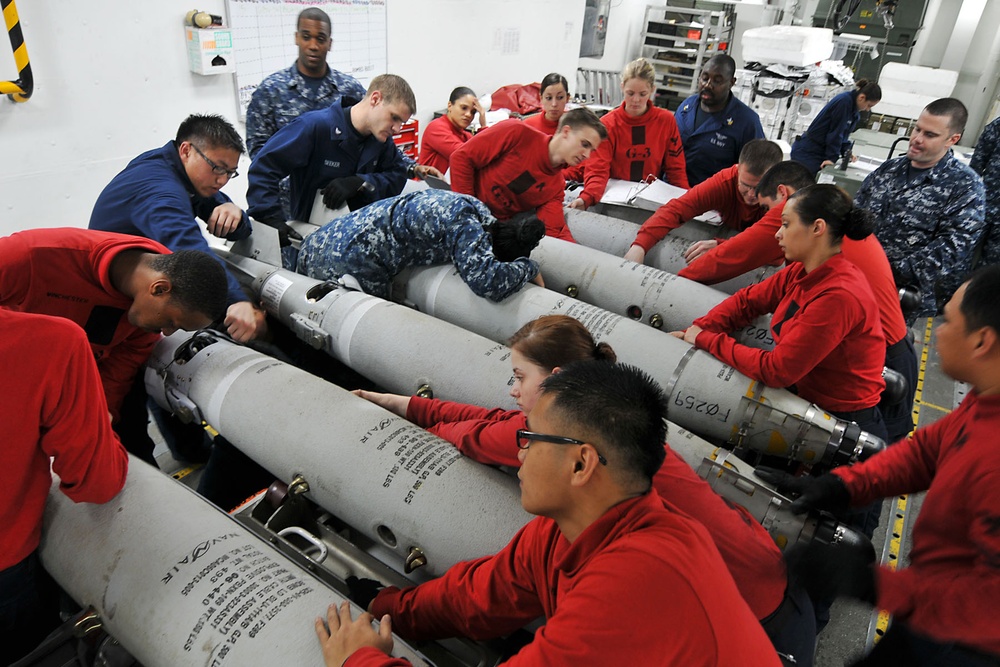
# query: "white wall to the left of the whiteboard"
111,81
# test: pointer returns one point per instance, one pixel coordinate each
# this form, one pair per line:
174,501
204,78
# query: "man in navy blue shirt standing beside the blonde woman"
714,125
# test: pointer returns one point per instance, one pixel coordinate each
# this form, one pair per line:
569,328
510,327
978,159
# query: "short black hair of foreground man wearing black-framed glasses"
616,407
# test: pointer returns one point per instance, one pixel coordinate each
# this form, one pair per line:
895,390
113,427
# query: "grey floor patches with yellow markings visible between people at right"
847,635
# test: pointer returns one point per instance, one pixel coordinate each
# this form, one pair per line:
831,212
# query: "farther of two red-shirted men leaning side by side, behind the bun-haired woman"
731,193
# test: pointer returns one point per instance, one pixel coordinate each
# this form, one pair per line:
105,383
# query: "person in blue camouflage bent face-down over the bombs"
423,228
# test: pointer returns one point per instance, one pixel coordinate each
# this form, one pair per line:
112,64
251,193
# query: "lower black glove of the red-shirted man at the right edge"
828,571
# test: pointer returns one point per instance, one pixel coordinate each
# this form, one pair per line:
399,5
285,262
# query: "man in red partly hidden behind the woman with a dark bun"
757,246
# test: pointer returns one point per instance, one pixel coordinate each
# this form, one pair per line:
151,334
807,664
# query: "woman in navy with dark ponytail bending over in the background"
827,137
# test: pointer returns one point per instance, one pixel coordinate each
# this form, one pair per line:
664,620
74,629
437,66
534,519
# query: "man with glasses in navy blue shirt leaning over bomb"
160,193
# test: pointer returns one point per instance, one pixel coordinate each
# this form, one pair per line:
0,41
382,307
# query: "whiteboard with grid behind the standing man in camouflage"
264,39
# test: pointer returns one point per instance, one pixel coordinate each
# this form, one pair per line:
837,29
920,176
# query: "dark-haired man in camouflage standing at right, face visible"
929,206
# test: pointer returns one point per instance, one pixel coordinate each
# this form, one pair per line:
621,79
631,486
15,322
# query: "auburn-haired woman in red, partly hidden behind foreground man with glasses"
540,348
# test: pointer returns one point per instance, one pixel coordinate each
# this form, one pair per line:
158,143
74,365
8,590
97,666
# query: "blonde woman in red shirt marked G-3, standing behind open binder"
643,140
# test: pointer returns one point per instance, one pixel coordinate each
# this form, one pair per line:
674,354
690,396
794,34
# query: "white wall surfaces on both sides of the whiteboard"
111,81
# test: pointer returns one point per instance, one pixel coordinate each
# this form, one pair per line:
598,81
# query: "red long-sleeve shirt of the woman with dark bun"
828,338
